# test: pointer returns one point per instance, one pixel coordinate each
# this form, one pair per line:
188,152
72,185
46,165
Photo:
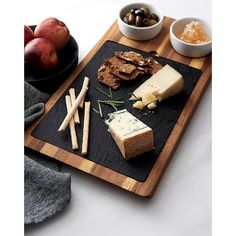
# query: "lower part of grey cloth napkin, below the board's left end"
47,191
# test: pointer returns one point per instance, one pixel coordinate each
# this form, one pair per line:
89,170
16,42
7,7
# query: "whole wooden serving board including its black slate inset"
168,121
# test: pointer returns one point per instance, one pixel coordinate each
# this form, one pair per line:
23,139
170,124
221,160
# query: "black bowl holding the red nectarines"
50,80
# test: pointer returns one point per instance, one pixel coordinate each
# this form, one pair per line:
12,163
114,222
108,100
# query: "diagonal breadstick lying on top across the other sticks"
73,109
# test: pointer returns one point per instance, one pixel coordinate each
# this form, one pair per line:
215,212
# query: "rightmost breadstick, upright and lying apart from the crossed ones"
86,128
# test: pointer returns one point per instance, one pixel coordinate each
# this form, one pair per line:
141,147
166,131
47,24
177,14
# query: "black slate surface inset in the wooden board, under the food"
102,148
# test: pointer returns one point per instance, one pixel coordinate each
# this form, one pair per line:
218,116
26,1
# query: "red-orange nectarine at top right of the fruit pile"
54,30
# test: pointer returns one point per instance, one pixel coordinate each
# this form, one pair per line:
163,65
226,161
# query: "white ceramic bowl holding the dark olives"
140,33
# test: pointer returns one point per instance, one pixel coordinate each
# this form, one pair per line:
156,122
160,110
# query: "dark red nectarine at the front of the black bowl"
40,53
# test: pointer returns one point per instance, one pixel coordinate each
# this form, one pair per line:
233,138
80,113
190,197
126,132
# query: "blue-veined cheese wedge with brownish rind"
132,136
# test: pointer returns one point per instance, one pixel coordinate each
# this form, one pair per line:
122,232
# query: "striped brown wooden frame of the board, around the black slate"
146,186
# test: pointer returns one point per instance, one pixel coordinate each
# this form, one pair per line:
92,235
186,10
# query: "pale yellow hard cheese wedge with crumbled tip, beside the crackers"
163,84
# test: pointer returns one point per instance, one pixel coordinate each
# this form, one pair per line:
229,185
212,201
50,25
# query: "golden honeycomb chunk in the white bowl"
194,33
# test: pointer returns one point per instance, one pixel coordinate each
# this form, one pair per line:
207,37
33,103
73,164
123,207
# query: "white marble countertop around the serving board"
181,205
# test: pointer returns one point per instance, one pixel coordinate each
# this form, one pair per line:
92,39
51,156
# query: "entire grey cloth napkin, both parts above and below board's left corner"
46,191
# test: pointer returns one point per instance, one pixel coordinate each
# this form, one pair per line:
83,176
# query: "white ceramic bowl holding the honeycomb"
189,49
